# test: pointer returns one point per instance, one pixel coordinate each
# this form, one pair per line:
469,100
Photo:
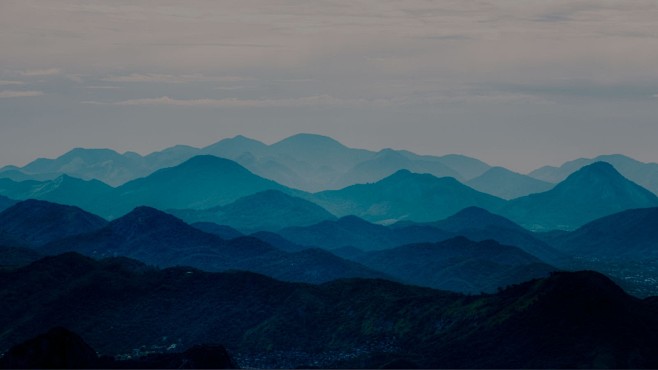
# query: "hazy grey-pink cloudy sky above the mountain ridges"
520,84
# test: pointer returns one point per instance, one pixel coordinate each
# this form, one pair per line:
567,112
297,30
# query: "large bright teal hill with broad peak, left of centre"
199,183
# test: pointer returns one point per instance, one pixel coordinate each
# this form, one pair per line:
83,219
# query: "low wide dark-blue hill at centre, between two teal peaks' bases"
356,232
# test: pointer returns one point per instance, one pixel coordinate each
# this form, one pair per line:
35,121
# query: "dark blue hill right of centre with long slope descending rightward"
479,224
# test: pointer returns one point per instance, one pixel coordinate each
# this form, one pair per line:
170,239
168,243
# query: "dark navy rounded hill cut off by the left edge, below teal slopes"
37,222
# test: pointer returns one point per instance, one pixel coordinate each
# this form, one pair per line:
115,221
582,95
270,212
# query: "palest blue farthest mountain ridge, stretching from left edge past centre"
307,162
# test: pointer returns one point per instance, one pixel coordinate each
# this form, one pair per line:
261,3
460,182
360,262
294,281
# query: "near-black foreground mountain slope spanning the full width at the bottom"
568,320
